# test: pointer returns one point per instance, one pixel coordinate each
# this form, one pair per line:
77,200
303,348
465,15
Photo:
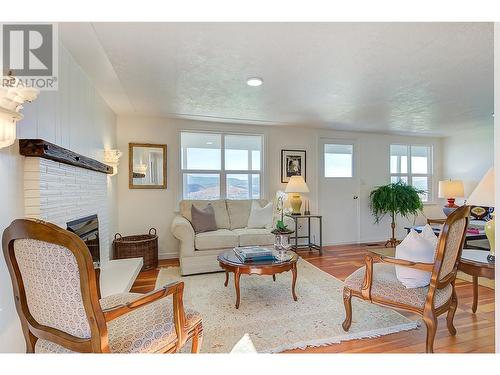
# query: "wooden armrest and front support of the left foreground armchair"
176,289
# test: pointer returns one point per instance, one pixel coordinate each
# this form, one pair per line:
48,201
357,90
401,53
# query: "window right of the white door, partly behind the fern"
412,164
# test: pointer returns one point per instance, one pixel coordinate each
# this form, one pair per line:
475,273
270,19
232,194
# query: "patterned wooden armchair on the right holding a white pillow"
378,283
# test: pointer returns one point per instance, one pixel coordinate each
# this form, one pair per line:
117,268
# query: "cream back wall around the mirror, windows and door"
141,209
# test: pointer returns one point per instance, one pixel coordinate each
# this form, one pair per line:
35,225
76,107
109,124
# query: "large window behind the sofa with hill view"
218,166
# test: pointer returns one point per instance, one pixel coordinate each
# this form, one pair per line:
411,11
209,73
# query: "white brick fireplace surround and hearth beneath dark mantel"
59,193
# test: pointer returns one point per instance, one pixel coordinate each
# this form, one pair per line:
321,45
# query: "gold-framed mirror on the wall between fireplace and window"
147,166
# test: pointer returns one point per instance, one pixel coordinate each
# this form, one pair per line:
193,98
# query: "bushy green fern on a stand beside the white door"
395,199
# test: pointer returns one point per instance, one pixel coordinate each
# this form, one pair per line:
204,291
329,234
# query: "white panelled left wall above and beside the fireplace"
75,117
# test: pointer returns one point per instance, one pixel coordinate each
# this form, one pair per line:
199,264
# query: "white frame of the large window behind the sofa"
223,172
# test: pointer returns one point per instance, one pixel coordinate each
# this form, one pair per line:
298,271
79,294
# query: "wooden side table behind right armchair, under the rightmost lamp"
475,264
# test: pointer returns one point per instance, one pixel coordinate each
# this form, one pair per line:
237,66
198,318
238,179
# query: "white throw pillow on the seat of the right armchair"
416,248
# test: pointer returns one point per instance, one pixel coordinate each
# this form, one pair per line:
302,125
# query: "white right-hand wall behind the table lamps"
468,154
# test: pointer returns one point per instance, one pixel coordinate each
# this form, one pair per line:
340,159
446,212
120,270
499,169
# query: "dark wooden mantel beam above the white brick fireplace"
46,150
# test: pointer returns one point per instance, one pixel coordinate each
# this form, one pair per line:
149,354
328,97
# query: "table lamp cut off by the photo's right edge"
484,195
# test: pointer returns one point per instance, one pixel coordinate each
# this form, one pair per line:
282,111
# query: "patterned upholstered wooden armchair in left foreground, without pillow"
57,300
